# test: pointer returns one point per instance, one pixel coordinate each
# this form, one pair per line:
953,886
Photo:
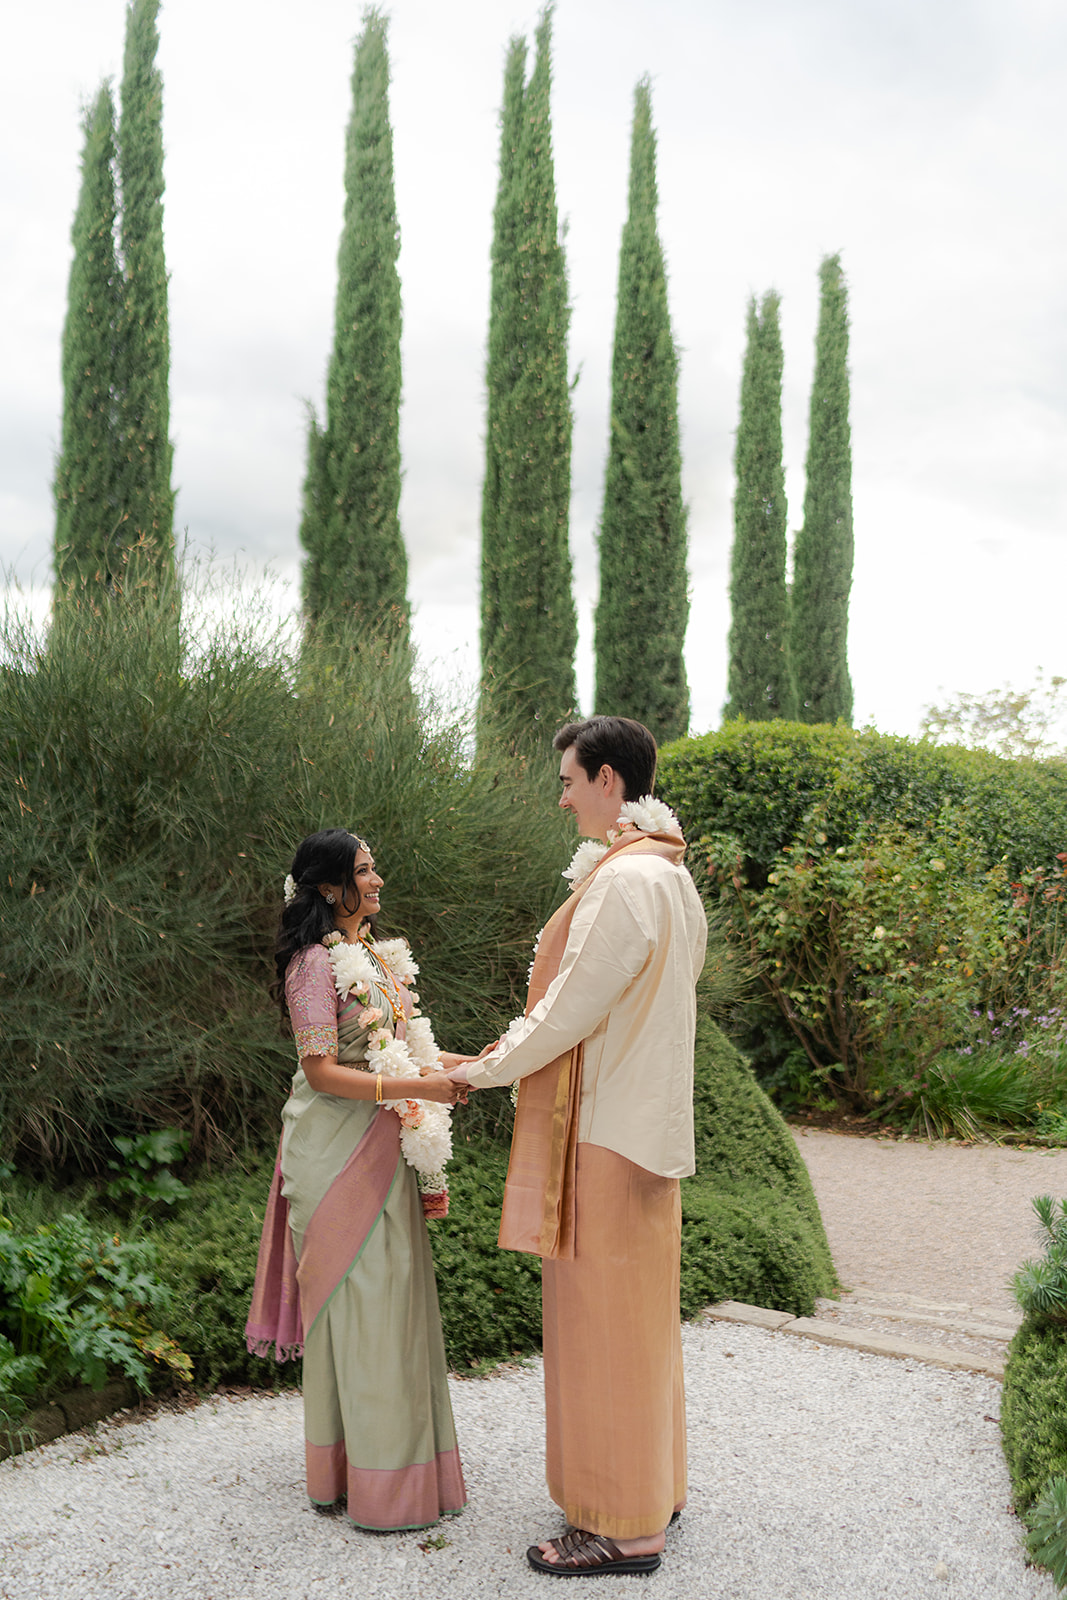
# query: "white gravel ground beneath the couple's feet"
815,1474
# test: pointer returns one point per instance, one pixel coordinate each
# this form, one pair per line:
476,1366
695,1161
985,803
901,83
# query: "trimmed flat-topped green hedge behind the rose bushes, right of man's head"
757,780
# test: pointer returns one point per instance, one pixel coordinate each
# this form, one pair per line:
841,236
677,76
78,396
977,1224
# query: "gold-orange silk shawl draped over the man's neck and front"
538,1212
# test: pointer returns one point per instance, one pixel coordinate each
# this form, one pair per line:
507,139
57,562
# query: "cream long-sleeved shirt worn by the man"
626,988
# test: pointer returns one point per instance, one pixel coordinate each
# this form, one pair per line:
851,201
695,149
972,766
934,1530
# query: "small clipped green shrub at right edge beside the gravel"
1034,1409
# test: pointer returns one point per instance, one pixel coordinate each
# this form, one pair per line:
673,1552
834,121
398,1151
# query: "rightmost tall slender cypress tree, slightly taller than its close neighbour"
823,561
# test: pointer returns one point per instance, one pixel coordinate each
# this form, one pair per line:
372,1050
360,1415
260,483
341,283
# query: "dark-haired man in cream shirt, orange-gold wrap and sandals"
604,1132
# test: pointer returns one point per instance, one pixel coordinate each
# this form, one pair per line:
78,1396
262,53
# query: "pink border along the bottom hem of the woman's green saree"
388,1500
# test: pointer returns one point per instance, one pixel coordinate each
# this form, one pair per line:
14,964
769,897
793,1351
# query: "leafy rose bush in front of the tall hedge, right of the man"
876,953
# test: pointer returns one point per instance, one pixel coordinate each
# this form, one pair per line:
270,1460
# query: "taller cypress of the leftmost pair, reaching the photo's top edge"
146,494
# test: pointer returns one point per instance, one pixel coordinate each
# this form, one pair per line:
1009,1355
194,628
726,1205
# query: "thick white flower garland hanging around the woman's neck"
426,1137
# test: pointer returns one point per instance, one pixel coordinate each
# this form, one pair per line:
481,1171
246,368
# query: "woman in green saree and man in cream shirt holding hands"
604,1132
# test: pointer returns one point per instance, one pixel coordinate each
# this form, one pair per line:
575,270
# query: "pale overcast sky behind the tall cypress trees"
925,140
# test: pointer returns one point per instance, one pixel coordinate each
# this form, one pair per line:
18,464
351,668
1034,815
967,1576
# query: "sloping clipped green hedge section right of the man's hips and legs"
751,1228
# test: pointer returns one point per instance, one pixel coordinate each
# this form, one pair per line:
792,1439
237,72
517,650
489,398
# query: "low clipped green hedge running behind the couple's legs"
751,1233
